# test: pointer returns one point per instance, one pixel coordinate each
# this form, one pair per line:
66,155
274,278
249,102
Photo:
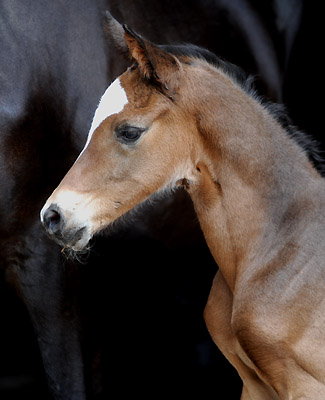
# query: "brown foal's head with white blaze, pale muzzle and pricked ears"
142,140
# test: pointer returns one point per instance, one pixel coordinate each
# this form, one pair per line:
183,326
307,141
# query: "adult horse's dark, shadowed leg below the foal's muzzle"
33,265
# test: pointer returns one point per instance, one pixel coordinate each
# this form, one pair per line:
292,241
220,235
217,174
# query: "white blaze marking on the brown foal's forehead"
112,102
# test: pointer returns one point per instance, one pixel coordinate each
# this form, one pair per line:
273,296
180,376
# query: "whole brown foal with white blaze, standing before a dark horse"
175,119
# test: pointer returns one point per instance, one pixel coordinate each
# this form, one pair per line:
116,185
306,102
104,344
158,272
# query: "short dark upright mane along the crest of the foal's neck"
246,81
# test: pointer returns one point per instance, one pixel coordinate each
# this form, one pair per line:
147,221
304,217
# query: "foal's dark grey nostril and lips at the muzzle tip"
55,223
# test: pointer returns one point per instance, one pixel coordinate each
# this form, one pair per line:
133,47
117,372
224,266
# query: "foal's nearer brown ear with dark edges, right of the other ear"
157,66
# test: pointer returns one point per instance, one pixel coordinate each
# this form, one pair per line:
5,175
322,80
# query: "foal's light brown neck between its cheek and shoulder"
249,178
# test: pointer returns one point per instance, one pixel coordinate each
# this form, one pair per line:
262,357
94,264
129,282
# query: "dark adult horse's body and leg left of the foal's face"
45,56
